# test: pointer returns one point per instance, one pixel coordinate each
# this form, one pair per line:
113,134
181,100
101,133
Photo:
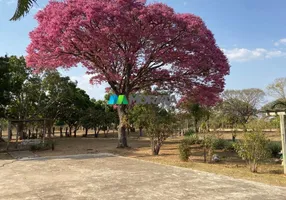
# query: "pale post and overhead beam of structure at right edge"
281,114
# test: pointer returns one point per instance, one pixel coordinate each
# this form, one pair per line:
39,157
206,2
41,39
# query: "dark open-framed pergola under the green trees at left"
42,123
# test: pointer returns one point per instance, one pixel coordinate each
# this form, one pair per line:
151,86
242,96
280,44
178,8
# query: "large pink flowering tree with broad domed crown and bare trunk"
131,46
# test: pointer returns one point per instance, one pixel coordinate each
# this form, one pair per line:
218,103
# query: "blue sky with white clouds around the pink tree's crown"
251,33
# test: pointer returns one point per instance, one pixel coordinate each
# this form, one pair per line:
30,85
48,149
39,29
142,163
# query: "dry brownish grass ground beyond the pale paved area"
231,164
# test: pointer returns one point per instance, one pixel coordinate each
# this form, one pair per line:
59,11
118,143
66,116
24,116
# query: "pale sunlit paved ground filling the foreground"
104,176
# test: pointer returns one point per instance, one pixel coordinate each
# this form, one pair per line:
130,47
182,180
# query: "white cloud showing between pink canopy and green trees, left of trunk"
94,91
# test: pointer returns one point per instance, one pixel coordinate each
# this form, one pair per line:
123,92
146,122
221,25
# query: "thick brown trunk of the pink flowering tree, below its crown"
122,139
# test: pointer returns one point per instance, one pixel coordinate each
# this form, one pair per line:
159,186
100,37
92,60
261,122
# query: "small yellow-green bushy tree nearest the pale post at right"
253,148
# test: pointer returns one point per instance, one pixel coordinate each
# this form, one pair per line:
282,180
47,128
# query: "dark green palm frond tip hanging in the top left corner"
23,8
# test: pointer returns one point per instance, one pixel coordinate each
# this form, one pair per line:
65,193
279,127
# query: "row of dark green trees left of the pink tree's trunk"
26,95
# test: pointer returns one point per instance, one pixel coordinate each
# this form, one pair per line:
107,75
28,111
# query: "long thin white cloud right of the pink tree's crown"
243,55
